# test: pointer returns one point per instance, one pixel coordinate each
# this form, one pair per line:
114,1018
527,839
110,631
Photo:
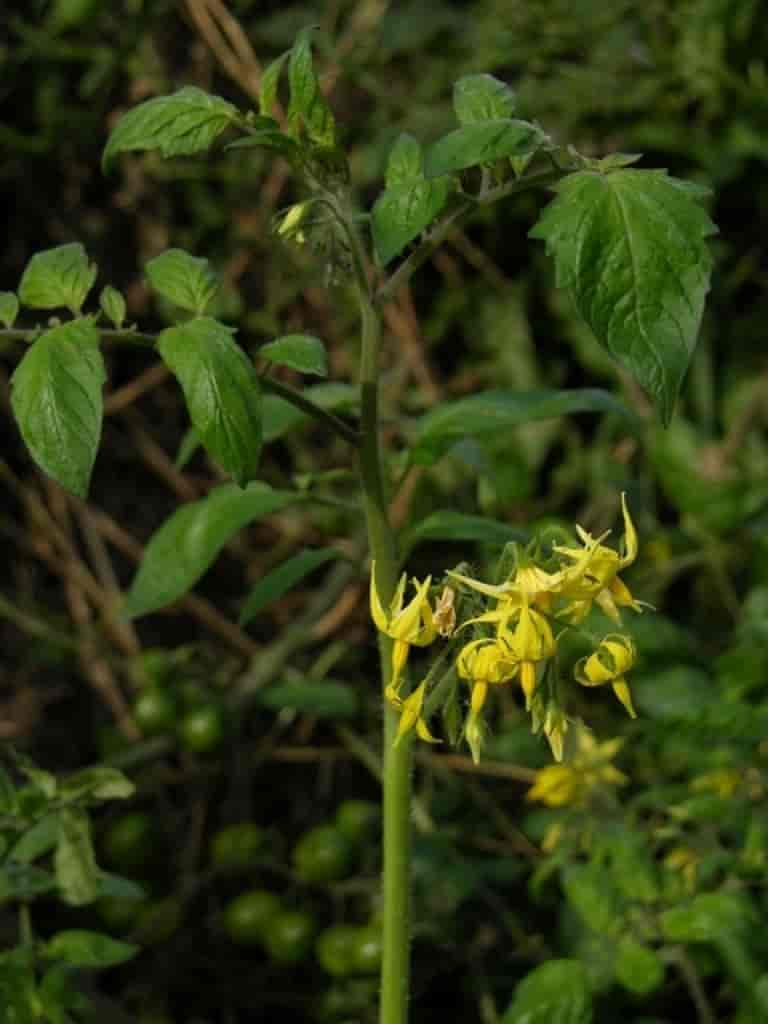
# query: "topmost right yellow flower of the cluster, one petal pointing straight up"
594,575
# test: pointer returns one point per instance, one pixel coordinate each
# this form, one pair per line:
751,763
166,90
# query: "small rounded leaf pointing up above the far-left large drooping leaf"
61,277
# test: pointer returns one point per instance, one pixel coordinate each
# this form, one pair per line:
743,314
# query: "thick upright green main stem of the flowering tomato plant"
397,760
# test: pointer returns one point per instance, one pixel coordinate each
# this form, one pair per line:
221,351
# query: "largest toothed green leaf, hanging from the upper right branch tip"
630,248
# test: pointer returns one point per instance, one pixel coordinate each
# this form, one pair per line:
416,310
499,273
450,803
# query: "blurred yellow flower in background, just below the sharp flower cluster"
590,769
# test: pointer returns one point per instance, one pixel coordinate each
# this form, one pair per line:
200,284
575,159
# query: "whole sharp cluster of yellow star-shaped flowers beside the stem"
515,628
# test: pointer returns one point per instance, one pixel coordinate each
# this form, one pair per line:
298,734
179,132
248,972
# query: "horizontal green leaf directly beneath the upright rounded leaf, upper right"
482,143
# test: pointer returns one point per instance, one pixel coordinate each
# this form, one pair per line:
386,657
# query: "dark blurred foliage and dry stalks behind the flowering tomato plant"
648,902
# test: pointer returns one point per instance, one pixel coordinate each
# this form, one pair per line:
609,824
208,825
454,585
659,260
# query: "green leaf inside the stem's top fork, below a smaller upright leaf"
403,212
